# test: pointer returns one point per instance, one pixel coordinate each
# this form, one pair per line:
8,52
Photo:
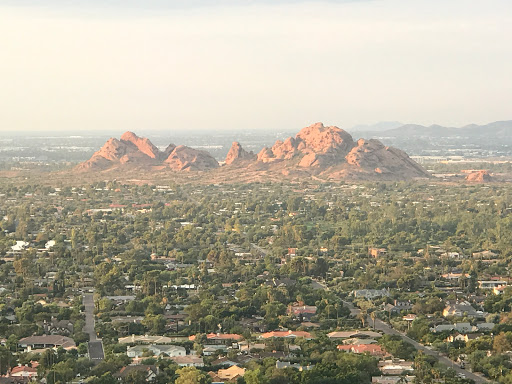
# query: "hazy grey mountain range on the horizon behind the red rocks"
497,130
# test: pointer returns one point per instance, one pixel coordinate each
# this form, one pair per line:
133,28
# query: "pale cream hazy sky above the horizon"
191,64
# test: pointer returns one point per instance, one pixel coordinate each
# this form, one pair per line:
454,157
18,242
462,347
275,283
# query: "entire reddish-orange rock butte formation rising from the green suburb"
316,151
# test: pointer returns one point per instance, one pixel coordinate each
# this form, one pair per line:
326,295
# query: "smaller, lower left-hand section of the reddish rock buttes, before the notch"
140,151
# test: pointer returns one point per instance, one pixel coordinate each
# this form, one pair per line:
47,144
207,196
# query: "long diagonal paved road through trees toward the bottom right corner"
385,328
